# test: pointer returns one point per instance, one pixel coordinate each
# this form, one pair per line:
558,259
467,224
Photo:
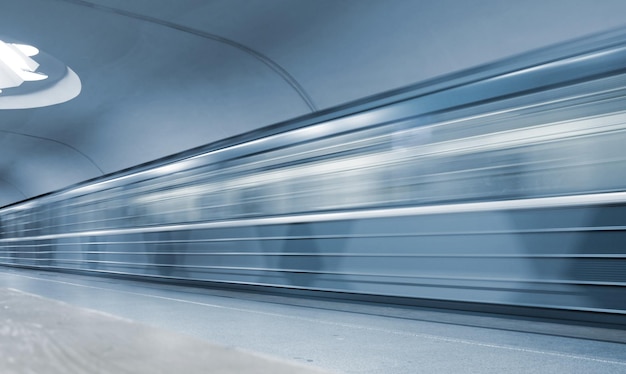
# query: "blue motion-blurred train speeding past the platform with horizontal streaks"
503,185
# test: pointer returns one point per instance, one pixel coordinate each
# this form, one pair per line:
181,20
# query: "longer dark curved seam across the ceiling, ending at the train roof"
273,65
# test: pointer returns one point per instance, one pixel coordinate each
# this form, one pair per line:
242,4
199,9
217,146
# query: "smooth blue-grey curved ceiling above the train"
163,76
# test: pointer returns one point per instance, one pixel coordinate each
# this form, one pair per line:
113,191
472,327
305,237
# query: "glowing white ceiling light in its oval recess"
26,83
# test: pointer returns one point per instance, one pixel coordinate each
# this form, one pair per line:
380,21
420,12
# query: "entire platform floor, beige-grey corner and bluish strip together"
289,334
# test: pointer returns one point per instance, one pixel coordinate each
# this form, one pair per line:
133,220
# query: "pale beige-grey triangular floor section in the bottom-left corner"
40,335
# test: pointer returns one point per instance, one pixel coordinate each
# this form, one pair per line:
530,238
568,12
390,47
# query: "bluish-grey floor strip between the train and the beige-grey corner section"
336,337
